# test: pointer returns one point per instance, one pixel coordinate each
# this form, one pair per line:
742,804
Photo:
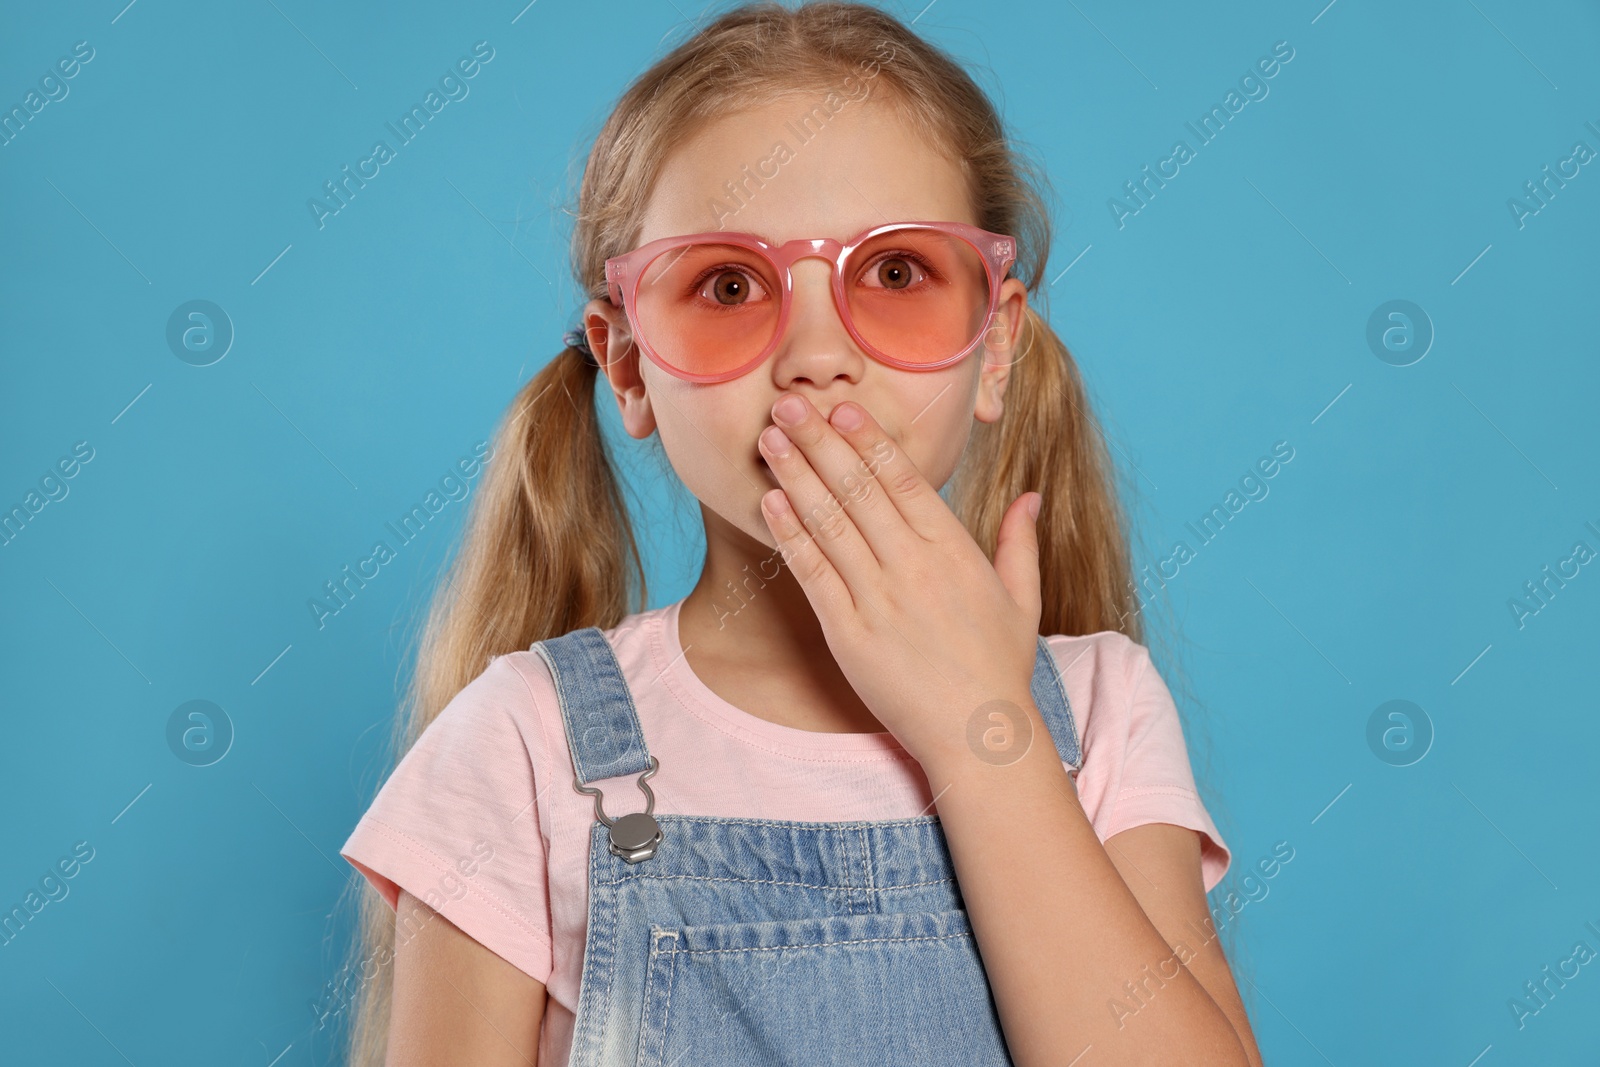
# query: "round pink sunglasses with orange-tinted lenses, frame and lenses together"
713,306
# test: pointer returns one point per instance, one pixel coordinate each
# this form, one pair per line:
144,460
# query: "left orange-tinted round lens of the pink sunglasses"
708,310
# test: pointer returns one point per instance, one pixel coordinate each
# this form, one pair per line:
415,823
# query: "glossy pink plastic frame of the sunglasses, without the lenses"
623,276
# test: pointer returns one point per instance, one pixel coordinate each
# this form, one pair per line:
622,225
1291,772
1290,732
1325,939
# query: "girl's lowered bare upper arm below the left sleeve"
455,1002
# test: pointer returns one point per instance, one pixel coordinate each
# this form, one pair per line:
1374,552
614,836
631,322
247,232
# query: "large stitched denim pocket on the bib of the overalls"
884,988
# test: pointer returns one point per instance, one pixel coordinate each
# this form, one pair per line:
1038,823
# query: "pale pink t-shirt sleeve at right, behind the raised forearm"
1135,761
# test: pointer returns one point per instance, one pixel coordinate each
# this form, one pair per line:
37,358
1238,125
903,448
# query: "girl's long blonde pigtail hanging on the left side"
548,549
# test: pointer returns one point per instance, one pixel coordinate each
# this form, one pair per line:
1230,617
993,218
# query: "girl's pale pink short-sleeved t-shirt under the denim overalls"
482,823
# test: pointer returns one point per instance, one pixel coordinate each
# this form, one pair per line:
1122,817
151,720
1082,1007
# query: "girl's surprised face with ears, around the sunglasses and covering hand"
863,169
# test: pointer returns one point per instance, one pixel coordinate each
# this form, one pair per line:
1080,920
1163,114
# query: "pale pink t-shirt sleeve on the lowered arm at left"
458,828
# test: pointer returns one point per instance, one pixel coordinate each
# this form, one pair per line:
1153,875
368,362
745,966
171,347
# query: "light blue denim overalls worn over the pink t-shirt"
759,941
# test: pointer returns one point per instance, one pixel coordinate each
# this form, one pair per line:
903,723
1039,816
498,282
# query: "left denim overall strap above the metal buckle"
598,708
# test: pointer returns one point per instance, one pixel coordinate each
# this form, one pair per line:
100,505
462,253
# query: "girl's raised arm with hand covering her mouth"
930,633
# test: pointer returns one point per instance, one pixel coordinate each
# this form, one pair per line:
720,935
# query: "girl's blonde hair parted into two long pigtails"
550,548
